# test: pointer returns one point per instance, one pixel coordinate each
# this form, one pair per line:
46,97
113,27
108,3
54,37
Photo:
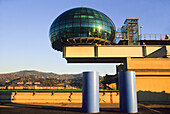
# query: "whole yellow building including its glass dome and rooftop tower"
85,35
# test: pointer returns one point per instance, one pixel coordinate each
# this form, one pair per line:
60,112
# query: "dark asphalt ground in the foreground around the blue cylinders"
73,108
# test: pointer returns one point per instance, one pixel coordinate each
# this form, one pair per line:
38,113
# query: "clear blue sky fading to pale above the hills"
24,30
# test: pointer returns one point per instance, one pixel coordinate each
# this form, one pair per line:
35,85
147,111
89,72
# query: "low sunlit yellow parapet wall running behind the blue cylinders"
52,97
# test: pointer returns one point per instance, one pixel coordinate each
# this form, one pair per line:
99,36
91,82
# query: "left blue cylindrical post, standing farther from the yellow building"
90,92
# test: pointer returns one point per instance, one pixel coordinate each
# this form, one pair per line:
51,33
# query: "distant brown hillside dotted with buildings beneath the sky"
43,77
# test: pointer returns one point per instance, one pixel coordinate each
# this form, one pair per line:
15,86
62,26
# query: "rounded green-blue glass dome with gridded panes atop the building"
81,25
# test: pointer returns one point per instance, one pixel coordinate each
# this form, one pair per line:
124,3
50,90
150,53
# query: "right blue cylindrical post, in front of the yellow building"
127,90
